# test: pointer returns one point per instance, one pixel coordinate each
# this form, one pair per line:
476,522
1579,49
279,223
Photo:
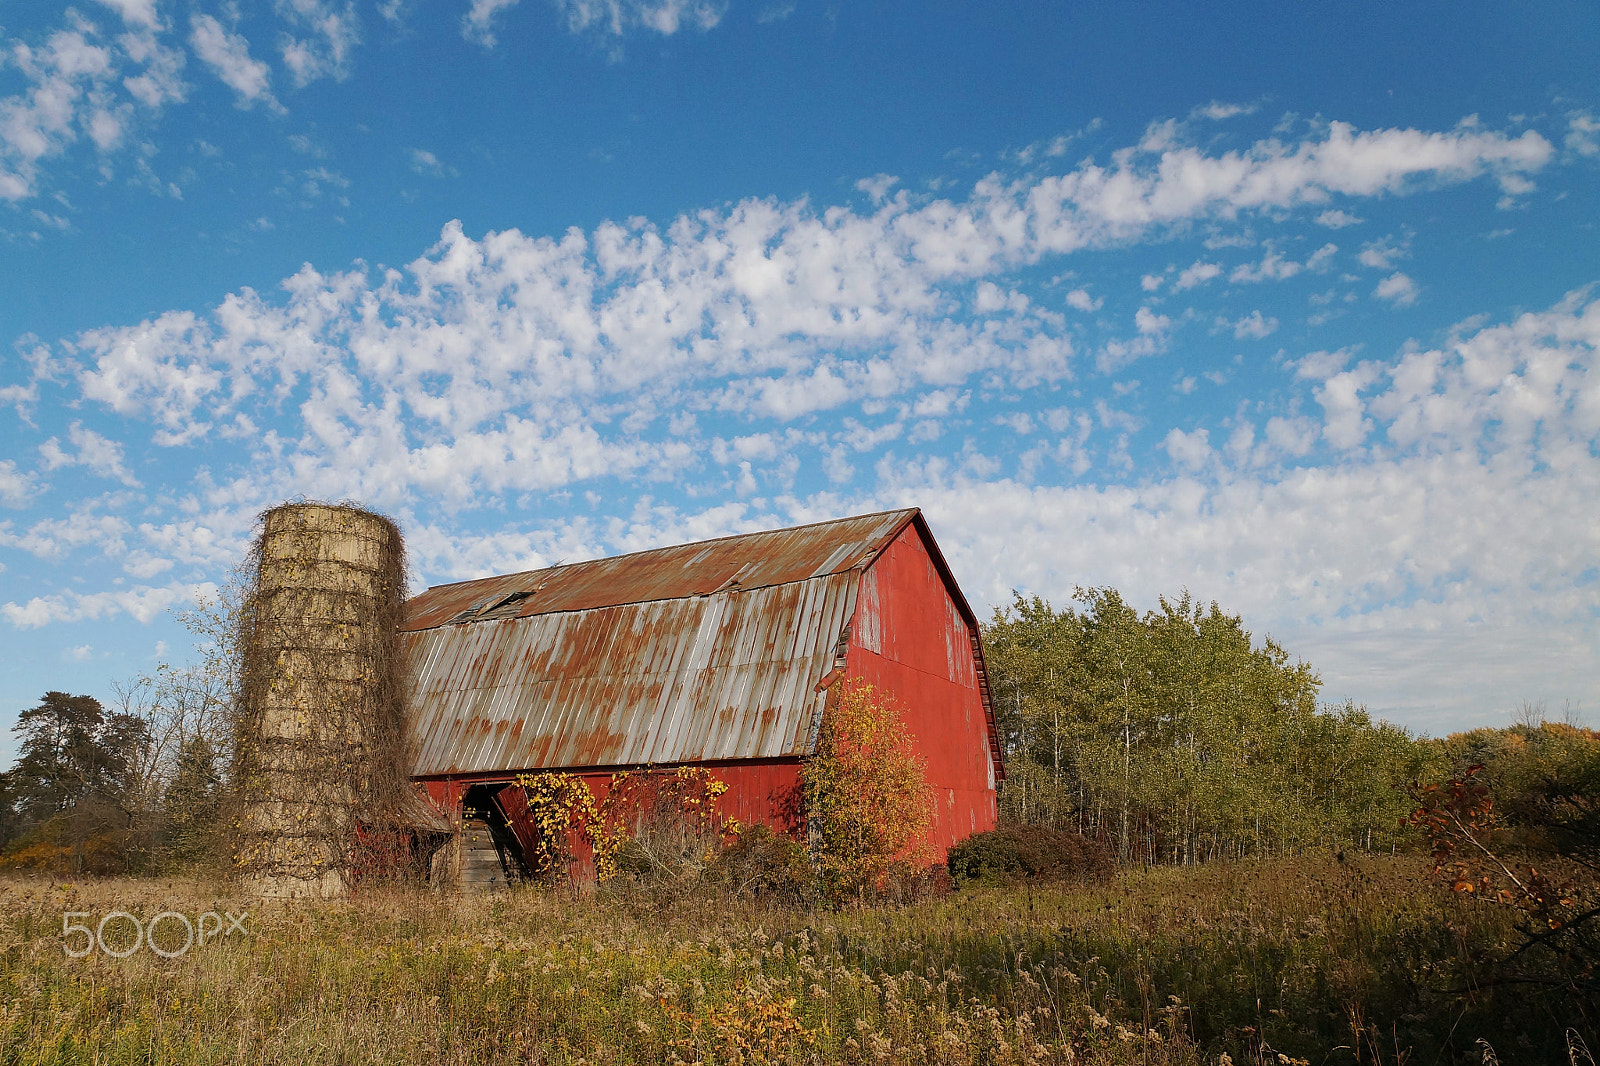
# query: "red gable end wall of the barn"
910,639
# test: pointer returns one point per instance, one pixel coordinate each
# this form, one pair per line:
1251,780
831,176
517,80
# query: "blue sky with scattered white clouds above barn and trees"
1297,310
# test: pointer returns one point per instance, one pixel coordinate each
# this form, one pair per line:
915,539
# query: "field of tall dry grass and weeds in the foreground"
1300,960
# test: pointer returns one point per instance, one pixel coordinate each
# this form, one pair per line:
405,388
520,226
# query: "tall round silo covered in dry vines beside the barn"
322,687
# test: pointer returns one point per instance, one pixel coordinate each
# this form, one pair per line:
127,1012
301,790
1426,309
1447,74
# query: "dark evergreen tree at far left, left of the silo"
71,783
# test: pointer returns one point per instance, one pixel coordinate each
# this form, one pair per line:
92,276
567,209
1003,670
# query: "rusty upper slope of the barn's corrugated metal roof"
665,574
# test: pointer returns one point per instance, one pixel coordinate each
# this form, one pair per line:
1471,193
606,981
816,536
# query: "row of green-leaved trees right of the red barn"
1175,737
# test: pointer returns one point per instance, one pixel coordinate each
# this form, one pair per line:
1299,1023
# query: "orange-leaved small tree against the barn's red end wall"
868,801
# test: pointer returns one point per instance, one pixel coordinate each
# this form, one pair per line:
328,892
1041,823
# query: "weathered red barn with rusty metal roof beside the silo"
716,655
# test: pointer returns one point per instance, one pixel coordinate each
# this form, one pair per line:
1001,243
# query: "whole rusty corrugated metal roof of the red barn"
689,654
